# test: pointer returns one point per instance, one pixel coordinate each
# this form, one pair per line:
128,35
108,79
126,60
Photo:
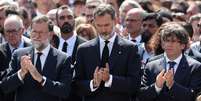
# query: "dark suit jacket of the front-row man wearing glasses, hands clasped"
56,70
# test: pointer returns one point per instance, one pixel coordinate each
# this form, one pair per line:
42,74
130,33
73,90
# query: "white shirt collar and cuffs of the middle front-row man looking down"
110,45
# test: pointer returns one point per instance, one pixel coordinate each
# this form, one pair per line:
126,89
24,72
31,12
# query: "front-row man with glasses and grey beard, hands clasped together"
41,72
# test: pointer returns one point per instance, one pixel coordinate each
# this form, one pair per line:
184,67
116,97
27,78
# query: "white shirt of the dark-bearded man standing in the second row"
71,43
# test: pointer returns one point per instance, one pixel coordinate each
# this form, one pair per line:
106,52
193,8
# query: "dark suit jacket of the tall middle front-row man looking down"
124,63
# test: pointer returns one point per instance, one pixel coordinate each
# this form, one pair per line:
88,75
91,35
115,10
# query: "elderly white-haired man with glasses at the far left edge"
13,31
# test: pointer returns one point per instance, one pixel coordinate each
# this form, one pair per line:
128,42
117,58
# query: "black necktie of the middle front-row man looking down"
105,54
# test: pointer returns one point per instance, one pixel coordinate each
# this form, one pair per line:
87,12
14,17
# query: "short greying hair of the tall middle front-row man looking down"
103,9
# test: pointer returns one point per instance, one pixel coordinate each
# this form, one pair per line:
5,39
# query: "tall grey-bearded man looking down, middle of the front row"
107,67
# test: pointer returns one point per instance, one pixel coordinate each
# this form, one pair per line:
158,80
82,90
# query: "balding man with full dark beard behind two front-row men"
69,41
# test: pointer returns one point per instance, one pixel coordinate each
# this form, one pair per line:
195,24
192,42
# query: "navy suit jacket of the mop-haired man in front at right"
187,81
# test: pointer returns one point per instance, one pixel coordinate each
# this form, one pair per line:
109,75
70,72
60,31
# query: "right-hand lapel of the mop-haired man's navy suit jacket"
182,70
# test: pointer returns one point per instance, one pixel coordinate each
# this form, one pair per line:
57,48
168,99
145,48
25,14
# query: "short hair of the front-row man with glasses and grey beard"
43,18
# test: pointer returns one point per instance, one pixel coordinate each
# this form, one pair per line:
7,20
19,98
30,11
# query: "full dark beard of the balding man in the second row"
67,28
